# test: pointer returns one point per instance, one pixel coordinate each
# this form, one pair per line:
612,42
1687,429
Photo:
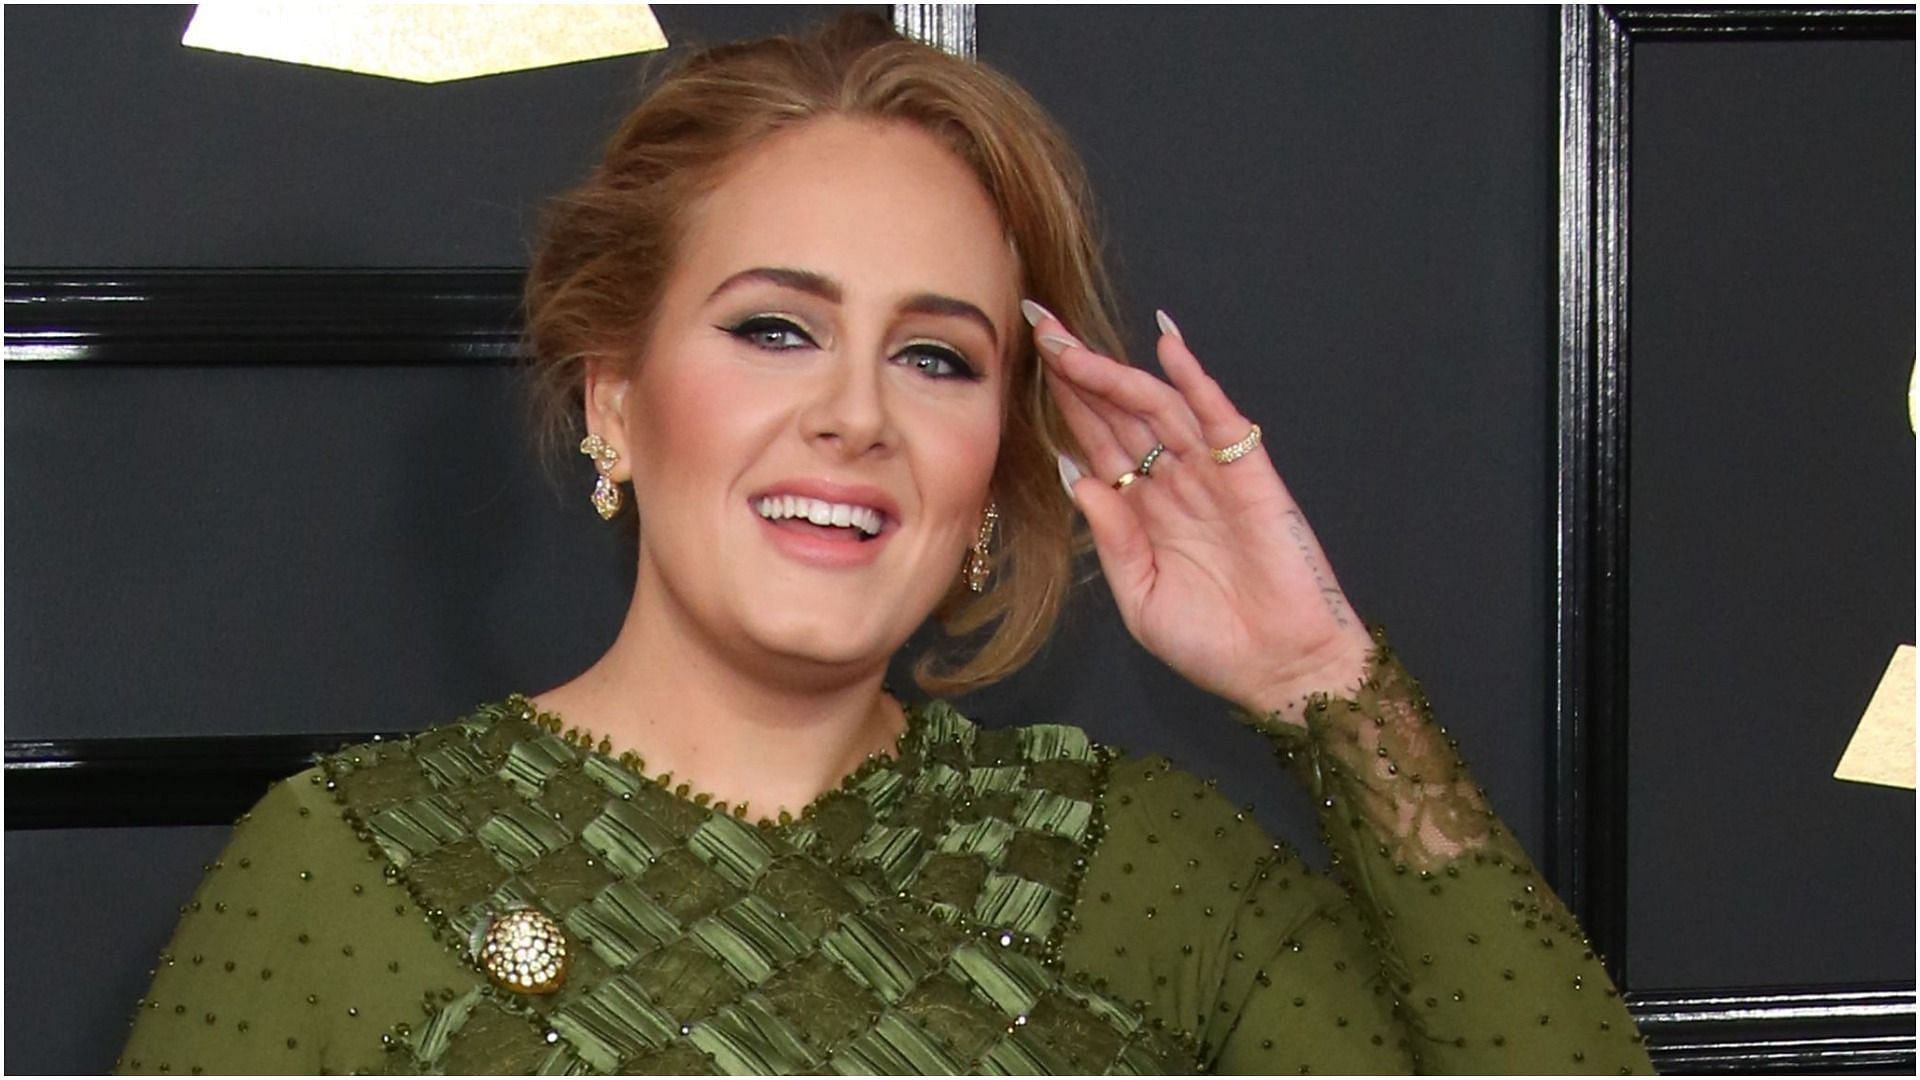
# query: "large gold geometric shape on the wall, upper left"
425,43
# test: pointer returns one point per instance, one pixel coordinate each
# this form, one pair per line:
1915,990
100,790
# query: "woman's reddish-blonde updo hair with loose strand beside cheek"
608,247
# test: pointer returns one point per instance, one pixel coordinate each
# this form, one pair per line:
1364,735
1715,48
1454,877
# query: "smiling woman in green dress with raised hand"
832,314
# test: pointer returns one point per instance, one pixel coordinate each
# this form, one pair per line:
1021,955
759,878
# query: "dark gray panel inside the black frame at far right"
1773,508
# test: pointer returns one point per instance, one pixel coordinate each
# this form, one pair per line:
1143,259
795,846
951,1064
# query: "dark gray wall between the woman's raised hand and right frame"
1351,216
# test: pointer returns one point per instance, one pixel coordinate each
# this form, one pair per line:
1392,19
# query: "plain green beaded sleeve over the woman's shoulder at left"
299,939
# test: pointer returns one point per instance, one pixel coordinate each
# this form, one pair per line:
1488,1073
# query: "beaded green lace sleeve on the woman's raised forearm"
1483,966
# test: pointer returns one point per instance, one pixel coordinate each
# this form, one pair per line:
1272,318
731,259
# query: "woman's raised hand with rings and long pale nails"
1214,568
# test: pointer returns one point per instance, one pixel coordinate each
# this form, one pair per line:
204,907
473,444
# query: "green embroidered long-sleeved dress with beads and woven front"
988,900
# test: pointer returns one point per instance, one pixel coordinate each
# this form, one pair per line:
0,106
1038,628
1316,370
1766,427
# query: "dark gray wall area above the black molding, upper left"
130,151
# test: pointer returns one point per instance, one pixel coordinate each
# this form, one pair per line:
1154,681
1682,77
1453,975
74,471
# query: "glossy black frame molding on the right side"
1777,1029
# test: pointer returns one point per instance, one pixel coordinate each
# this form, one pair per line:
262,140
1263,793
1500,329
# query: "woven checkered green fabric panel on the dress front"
907,923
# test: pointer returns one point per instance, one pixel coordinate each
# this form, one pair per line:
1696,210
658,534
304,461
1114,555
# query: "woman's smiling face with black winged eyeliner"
830,347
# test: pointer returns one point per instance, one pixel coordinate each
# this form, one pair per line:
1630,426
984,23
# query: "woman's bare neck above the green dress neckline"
771,735
